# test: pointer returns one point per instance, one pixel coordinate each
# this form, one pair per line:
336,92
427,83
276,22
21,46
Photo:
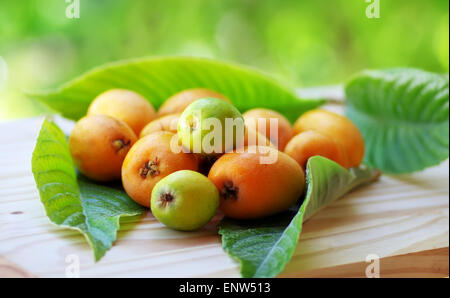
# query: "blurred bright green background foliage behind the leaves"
303,43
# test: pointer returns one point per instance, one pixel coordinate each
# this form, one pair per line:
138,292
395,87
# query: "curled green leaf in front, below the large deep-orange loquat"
263,247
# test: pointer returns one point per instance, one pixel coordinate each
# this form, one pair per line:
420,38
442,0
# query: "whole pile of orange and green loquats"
123,137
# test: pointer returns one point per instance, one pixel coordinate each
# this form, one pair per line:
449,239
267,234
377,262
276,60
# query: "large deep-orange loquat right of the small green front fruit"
250,189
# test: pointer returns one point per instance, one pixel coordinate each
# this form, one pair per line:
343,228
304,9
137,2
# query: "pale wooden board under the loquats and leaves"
403,220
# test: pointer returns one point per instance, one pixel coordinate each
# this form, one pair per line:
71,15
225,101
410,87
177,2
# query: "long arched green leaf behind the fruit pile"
159,78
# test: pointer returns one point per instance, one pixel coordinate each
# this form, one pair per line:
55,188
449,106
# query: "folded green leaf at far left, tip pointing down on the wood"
74,202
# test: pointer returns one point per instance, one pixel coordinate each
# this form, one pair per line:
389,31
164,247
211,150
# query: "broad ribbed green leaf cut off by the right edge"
403,115
